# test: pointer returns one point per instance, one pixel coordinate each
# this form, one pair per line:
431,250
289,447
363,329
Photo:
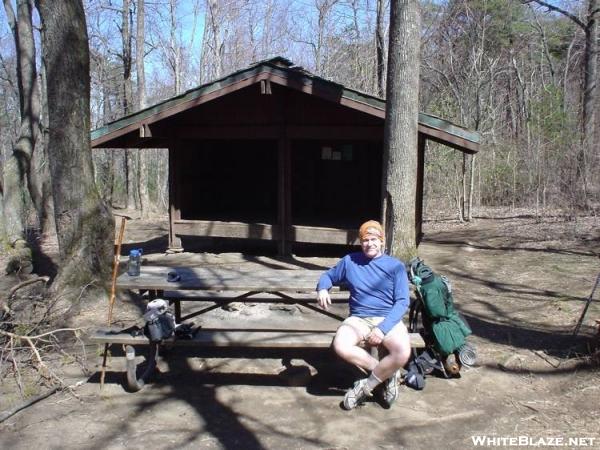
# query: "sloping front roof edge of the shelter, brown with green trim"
283,68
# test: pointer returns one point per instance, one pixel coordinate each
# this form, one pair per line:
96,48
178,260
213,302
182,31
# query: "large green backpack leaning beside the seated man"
447,329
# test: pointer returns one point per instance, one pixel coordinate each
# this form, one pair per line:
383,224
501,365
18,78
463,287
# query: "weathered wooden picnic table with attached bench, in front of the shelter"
222,285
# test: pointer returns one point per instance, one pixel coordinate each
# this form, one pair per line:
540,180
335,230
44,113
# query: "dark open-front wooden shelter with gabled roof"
273,152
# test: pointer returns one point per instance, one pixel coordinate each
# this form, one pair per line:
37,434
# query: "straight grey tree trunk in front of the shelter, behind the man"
401,129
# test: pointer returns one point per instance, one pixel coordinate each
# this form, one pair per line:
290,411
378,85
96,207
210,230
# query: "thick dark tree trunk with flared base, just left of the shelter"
84,225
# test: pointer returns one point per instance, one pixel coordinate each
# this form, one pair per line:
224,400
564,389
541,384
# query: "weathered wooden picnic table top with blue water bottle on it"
263,279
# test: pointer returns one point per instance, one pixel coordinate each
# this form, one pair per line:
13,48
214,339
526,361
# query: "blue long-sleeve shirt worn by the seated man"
378,286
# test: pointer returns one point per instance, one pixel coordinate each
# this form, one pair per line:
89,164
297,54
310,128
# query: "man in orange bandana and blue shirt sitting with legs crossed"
379,298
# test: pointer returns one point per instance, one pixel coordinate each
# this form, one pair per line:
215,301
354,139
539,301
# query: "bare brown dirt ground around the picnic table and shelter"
521,283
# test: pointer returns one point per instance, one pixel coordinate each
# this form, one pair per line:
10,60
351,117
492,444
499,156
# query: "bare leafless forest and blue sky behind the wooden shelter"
512,70
